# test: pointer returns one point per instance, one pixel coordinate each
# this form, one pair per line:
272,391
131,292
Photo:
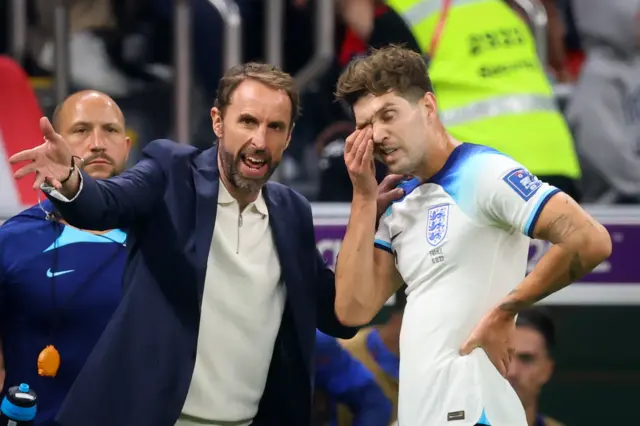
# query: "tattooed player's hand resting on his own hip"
493,334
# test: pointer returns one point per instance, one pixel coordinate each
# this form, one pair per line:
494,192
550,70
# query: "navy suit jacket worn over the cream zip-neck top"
140,370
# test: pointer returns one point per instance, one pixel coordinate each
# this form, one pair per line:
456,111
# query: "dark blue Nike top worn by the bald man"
85,275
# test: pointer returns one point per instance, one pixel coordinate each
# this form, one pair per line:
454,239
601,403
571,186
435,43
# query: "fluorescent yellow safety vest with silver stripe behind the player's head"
489,83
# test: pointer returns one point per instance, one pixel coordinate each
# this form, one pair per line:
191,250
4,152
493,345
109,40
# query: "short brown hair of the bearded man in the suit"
267,74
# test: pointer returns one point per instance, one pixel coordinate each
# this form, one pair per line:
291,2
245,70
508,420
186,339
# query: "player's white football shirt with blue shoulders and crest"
460,243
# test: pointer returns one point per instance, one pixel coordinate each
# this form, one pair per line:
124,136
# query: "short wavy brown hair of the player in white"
390,69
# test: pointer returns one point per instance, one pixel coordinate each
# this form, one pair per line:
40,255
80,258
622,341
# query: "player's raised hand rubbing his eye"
358,157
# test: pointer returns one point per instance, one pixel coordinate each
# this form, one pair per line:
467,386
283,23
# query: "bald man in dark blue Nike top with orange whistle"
60,285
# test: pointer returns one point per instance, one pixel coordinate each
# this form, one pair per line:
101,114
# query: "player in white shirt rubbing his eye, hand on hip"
459,239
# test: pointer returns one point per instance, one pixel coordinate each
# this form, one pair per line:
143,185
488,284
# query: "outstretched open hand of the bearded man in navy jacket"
50,161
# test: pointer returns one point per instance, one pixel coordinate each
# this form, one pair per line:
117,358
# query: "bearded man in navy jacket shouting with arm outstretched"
224,286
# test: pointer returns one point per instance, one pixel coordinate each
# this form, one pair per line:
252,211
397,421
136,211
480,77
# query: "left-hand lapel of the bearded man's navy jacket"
206,183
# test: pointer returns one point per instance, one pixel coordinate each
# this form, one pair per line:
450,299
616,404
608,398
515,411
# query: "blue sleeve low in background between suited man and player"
345,380
